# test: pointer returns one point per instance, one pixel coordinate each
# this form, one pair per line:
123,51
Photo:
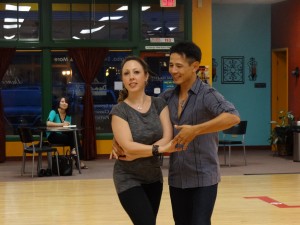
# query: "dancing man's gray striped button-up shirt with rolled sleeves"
199,165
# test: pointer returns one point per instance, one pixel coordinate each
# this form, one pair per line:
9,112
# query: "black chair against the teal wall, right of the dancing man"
234,136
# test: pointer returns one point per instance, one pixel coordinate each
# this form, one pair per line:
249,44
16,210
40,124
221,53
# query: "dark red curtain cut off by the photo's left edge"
6,55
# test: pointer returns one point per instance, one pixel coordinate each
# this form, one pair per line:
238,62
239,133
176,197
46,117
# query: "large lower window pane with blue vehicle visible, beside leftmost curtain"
21,91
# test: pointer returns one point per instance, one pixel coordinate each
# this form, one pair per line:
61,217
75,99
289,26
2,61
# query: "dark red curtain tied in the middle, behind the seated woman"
88,62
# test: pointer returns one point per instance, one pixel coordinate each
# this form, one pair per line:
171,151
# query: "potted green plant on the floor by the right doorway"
282,135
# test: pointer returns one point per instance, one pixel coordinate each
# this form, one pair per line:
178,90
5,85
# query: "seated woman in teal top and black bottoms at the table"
60,117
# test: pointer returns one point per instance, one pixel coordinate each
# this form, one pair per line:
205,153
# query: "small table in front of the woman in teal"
61,129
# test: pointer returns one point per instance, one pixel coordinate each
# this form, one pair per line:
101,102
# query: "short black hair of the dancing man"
188,49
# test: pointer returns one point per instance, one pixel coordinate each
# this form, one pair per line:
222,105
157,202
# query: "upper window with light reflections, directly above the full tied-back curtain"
90,21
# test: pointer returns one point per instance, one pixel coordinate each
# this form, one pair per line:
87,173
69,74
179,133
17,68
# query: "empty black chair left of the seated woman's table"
29,147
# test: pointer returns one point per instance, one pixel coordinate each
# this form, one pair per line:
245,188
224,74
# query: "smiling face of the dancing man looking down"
180,69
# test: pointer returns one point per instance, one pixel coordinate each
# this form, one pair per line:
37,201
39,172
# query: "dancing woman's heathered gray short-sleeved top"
145,128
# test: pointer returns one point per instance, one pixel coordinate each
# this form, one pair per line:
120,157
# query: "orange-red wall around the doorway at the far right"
286,34
